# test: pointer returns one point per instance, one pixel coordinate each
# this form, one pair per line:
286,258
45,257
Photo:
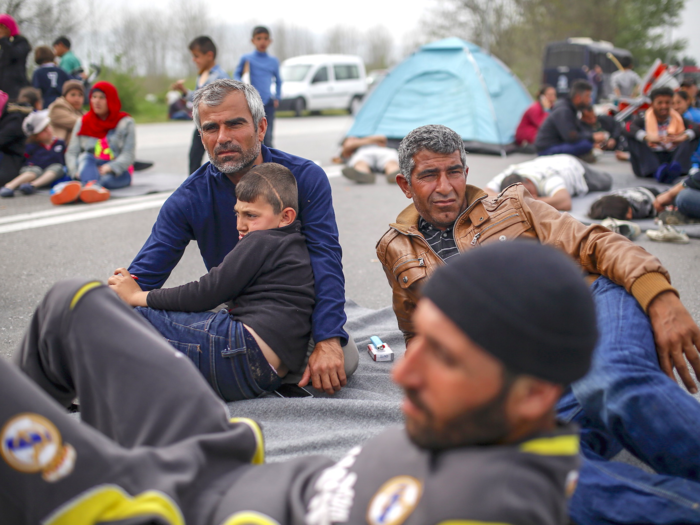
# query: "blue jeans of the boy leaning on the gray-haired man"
222,349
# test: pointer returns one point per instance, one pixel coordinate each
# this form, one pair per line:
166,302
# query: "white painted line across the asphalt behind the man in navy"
66,214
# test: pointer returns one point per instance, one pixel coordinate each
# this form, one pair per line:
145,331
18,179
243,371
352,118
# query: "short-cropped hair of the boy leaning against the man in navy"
273,182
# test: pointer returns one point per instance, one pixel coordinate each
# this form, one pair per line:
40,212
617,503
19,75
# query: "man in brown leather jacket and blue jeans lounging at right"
626,401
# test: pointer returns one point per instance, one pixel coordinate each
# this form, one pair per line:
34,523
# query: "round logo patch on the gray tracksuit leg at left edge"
31,443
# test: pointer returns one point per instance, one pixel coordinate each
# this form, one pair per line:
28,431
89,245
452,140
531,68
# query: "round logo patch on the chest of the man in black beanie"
394,501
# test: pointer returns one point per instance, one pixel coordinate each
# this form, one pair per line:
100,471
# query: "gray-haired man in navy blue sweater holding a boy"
231,118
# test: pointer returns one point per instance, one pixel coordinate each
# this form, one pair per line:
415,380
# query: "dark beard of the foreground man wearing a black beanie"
484,425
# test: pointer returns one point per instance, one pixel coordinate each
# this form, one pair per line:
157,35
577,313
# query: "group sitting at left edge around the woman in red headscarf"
47,141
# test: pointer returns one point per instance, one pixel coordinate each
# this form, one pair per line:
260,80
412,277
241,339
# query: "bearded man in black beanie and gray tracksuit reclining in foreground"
156,446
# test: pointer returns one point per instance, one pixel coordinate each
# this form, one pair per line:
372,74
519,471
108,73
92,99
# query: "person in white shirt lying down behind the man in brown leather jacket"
553,179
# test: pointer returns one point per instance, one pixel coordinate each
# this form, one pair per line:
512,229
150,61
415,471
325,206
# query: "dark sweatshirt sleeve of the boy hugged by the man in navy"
223,283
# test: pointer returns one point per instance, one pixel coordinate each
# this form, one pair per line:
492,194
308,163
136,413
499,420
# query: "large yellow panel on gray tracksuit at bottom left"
111,503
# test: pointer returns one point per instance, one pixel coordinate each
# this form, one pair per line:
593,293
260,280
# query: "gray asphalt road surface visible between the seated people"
43,249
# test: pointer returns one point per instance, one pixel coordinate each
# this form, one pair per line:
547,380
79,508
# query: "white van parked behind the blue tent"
317,82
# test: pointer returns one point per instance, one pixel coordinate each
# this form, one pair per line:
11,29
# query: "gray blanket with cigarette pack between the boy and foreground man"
331,425
